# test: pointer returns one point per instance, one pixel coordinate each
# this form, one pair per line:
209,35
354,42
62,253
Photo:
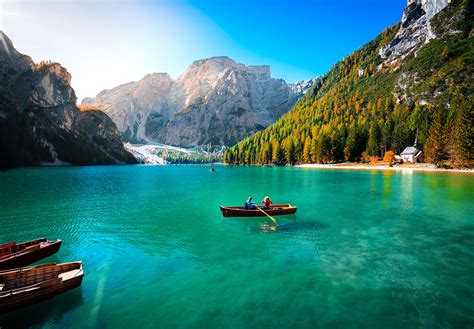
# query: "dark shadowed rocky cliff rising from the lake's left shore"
39,121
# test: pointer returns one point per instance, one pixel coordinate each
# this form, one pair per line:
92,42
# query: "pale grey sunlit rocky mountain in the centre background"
215,101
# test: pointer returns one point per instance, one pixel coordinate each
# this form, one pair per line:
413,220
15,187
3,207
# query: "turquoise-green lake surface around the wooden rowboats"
365,249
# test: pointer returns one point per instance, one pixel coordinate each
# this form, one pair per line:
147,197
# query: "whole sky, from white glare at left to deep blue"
106,43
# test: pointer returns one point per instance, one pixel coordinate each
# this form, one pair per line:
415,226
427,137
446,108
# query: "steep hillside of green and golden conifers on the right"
366,105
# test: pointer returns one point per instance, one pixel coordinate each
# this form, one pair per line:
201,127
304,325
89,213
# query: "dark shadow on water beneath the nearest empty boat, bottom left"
51,310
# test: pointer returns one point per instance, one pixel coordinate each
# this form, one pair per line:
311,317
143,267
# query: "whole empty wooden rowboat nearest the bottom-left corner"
24,286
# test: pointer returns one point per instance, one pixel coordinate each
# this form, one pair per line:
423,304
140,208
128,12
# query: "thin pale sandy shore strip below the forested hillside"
403,168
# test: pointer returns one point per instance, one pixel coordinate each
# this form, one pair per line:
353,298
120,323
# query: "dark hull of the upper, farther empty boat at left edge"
26,257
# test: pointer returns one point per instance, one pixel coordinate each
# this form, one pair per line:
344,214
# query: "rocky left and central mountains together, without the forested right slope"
216,101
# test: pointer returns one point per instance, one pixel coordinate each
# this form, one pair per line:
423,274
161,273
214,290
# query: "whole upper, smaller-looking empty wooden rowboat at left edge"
13,255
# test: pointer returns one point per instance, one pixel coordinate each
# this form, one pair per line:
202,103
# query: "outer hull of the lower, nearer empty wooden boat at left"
27,295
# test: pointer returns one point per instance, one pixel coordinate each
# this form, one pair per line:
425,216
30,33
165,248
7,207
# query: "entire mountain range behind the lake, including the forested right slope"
412,84
